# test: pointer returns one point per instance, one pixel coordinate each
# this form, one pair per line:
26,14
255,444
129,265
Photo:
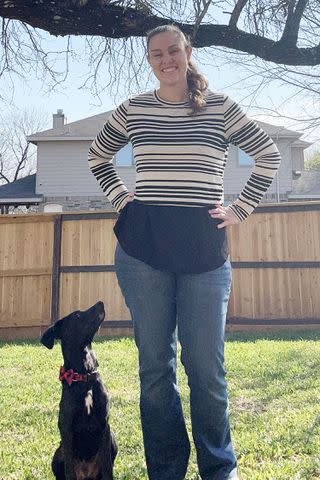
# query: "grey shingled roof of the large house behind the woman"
87,129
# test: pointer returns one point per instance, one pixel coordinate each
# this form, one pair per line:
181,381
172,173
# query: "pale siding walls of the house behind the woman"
63,175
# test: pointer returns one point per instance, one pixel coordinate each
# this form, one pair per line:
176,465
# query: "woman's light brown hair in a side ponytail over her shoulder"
197,83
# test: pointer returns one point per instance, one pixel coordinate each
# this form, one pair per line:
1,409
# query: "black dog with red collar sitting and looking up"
88,448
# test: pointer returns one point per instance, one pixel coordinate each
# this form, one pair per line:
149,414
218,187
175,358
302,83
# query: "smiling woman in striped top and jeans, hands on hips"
171,258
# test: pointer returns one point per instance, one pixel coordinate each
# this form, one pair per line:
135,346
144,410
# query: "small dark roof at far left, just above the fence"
22,191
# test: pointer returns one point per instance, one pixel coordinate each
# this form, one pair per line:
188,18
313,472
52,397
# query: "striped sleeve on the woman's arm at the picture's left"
109,140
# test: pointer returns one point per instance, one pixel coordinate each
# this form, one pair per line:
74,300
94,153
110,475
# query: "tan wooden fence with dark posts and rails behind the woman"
51,264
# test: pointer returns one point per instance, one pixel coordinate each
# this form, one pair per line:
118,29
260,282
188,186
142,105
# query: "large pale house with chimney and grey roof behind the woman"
63,180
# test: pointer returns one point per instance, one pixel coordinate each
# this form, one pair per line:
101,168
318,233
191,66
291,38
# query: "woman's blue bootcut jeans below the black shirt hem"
162,303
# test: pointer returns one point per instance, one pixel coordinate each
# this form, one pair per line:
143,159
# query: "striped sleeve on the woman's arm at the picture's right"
247,135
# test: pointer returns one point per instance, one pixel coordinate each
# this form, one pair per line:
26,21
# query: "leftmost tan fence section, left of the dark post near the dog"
26,249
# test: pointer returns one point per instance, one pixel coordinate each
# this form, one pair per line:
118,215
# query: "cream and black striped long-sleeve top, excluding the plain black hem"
180,158
